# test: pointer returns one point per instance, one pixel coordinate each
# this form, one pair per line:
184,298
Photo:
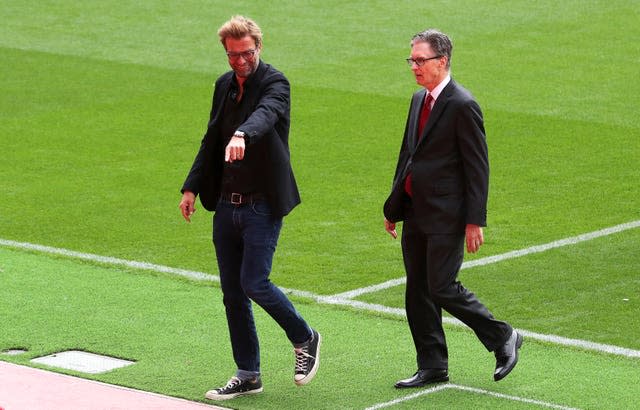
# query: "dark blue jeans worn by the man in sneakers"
245,238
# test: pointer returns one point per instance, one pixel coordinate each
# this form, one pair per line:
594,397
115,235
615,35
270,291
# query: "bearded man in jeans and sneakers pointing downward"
243,173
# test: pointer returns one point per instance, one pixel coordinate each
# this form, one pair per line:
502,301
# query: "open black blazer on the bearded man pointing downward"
267,131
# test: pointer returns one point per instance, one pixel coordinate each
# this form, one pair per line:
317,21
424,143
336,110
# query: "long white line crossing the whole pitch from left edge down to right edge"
330,300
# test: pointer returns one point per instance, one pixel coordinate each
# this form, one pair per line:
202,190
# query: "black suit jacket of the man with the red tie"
450,166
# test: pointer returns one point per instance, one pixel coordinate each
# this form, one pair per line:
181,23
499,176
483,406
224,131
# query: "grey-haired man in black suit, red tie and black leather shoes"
440,193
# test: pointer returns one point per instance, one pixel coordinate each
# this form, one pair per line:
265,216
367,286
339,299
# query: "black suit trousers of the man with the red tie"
432,263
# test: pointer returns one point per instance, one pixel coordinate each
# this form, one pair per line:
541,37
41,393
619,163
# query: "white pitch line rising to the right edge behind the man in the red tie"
504,256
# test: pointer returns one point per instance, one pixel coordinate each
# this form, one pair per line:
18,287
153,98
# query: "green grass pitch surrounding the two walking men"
102,109
